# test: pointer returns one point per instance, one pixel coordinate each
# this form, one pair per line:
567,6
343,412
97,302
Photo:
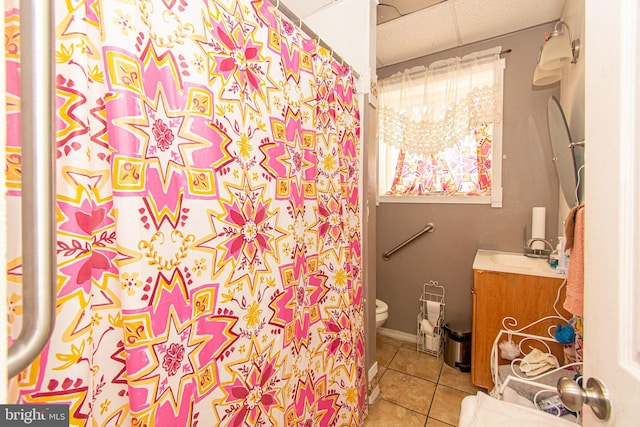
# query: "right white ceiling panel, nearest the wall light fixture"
480,20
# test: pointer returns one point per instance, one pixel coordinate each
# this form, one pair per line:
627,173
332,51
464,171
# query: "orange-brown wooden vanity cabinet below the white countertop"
497,295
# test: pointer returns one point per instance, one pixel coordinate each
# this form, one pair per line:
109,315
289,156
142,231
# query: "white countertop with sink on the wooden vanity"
513,262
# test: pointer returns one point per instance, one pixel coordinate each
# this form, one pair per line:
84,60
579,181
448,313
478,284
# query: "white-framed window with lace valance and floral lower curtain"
440,132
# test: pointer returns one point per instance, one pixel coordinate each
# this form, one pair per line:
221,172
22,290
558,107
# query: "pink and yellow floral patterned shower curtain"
208,242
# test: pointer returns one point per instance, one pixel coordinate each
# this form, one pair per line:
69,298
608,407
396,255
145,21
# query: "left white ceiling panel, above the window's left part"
427,30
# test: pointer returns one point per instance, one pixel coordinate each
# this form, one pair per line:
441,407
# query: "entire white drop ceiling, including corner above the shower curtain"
445,25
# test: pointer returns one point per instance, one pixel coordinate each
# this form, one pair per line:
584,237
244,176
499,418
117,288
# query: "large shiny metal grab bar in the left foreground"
38,183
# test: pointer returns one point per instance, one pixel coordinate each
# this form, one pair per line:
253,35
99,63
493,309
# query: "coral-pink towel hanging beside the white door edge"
574,299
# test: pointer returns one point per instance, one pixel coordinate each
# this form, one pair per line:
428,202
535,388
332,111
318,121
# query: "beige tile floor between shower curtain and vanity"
416,389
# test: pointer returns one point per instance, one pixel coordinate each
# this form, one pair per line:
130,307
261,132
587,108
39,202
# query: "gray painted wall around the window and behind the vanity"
528,179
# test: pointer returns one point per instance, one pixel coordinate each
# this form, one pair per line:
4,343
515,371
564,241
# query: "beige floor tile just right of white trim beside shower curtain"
408,391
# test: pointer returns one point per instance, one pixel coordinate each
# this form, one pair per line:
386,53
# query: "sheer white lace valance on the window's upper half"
425,110
